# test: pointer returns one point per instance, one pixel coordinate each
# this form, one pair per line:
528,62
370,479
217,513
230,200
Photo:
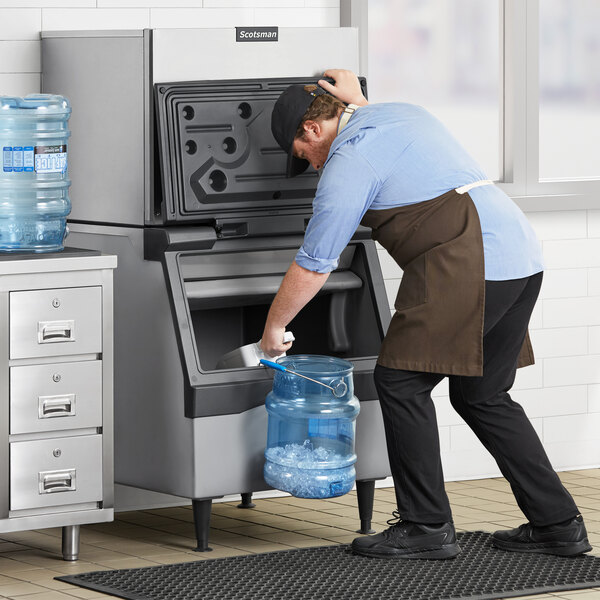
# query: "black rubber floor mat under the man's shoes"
480,572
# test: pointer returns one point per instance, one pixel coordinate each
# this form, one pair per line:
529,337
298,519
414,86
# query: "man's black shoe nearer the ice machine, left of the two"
405,539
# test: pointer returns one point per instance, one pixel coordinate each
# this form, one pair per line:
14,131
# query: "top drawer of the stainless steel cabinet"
55,322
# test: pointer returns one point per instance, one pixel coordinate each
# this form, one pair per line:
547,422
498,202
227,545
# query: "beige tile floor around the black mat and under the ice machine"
30,560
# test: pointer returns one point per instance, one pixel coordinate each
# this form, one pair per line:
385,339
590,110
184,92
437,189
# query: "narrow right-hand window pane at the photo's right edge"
569,89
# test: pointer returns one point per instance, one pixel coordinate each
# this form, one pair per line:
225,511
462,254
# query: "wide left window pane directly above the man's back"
445,56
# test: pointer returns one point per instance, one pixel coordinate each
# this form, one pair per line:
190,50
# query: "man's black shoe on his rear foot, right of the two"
565,539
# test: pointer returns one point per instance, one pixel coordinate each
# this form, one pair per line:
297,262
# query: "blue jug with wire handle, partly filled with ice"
310,440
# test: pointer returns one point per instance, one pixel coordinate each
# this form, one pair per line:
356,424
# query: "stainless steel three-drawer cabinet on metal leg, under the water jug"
56,372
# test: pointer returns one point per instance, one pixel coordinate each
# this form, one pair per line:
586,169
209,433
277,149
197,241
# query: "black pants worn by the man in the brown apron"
485,405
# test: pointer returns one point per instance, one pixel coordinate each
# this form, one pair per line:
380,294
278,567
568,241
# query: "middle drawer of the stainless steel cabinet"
55,397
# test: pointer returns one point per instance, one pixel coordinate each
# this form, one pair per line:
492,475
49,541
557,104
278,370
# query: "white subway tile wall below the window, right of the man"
567,341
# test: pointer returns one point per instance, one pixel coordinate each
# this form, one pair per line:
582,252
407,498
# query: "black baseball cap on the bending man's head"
286,117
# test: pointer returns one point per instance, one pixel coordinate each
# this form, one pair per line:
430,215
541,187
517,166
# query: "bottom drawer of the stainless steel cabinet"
55,472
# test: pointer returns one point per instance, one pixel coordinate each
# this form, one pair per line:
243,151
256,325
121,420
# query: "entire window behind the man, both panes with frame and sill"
516,81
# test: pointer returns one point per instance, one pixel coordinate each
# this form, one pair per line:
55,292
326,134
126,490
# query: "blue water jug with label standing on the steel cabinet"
34,200
